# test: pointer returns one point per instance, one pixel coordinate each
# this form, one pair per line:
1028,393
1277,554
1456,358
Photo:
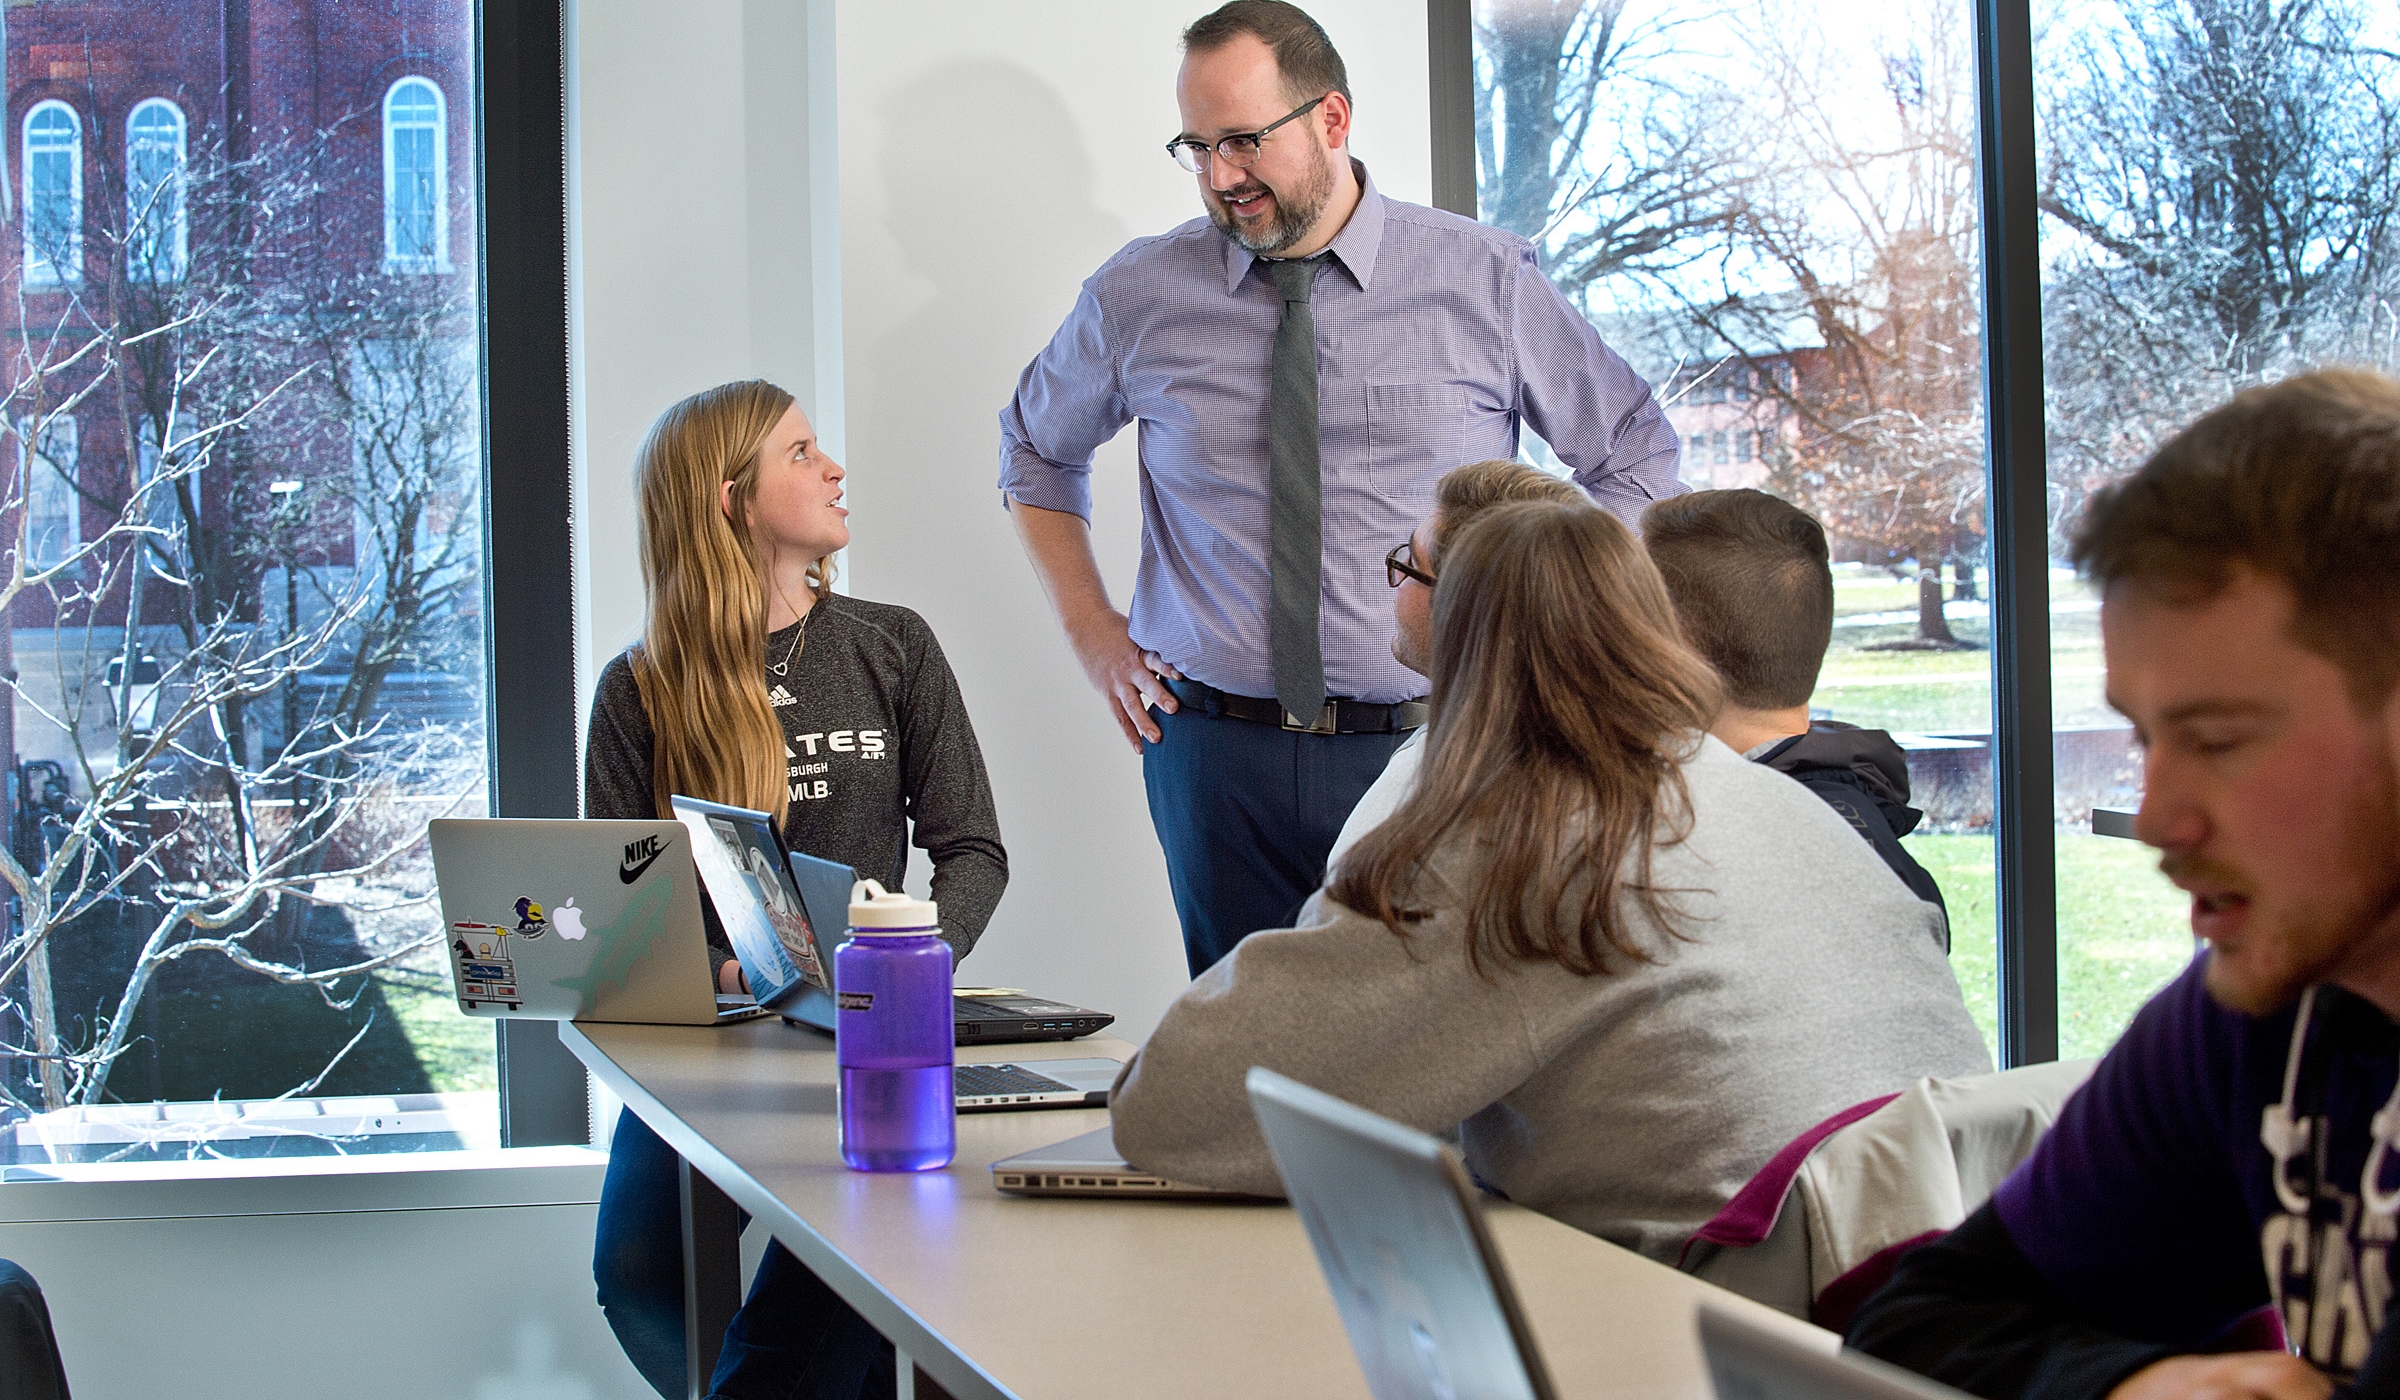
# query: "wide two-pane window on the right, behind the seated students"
1775,213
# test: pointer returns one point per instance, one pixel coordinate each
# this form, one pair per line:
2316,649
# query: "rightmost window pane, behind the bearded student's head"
2219,193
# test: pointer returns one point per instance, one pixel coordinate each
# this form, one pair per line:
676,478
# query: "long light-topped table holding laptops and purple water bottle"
1062,1300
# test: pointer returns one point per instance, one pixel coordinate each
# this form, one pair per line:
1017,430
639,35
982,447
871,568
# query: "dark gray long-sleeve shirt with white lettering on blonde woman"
877,741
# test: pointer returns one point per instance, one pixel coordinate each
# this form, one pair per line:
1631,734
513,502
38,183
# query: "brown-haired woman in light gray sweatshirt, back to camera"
1621,962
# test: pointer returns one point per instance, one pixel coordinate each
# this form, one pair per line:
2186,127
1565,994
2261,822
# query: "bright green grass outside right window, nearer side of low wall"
2123,933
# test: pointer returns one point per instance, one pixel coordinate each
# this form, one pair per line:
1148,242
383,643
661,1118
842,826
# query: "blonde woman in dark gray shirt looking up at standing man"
760,686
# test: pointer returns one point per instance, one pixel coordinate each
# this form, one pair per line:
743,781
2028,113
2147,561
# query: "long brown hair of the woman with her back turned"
1564,700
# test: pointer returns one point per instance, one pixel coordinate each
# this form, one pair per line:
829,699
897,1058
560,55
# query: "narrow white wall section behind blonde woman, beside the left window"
690,244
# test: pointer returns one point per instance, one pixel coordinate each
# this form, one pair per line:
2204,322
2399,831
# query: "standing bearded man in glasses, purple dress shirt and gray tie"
1434,342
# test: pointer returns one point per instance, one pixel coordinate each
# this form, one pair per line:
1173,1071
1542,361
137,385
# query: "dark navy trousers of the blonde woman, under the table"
793,1339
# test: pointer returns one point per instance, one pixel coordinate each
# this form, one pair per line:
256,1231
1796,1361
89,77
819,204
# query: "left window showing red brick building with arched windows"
239,707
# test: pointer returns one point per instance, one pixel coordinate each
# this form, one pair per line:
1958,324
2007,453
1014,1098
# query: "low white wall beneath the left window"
407,1284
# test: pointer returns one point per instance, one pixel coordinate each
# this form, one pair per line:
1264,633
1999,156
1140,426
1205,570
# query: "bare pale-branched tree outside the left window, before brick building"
239,371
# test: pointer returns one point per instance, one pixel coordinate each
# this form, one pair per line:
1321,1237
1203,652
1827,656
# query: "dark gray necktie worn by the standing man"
1295,542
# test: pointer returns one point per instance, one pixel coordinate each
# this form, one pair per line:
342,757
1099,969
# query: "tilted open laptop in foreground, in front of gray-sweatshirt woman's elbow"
1400,1236
